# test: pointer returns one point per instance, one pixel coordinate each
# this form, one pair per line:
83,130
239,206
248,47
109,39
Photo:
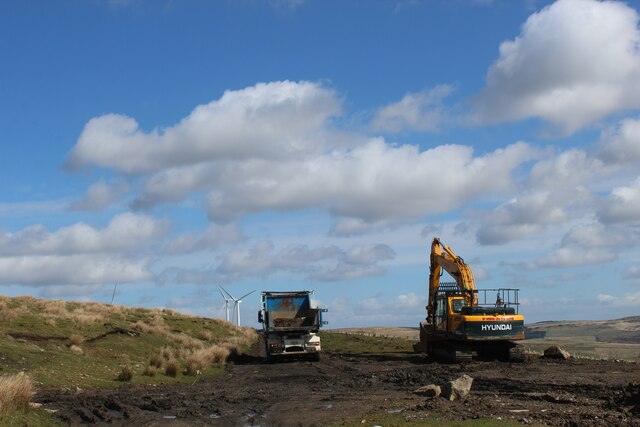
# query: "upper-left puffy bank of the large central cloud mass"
268,120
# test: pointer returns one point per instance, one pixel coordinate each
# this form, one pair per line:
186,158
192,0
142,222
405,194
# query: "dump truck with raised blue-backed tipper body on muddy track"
290,325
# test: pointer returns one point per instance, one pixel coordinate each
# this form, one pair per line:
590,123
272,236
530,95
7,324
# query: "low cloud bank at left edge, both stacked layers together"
79,254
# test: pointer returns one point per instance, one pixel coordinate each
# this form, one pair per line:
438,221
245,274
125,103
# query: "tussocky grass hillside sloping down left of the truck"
72,344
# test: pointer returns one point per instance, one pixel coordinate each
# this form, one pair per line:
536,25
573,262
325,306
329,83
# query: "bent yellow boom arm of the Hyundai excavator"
443,257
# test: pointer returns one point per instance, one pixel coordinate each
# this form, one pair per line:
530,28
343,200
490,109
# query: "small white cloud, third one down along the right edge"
622,206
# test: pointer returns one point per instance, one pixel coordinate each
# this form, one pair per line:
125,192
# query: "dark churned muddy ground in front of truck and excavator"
349,387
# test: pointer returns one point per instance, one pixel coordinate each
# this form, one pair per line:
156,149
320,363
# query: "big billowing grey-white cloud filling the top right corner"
575,62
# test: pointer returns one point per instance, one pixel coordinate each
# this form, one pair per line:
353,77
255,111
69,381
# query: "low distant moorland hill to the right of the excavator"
621,331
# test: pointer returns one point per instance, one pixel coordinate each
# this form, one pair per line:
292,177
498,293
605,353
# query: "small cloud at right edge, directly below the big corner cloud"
621,144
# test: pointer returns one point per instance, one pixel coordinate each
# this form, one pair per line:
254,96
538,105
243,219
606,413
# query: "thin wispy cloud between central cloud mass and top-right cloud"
421,111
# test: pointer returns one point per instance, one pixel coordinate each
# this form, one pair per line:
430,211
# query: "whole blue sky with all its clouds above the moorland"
168,146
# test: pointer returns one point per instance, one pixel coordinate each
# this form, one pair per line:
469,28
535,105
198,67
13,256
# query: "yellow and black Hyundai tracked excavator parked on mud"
462,321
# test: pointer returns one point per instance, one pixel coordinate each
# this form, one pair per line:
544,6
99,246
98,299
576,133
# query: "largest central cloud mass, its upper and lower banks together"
270,147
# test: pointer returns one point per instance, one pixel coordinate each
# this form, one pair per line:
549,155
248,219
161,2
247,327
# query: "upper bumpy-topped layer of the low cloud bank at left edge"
125,232
